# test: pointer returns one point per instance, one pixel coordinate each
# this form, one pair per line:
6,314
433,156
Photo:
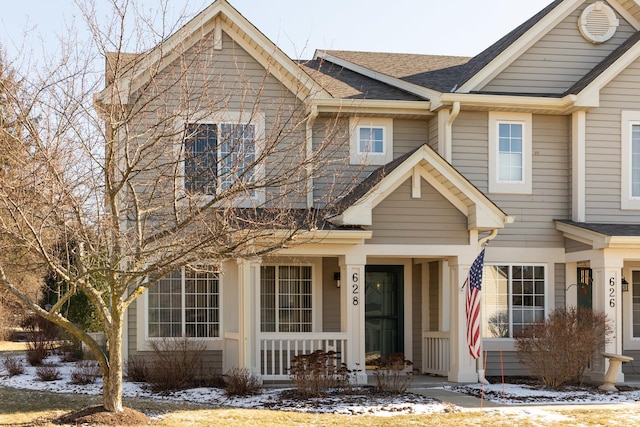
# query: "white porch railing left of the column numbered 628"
277,350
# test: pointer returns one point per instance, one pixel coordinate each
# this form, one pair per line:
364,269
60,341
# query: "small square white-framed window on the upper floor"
371,141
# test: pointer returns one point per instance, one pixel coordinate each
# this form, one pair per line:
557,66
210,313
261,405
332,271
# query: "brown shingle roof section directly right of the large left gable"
346,84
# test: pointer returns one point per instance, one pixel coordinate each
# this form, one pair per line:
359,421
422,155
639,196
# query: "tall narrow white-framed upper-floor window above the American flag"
510,153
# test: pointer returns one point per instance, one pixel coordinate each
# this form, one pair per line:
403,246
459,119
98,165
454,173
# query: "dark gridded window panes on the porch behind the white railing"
285,298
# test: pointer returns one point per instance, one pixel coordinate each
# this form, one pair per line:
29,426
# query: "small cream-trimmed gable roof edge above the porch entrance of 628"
421,163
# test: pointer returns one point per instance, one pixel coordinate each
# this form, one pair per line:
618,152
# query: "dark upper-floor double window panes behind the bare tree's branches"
217,155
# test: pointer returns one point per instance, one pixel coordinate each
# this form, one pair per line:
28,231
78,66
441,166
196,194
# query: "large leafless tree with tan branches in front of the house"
130,184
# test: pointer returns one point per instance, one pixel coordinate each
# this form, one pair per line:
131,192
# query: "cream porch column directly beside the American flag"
463,367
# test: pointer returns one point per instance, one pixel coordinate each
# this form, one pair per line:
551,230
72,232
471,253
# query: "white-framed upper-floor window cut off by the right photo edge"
630,160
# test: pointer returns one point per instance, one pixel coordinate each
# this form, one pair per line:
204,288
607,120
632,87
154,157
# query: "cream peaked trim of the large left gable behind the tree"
222,15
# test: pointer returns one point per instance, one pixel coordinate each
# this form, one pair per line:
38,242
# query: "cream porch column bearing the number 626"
607,298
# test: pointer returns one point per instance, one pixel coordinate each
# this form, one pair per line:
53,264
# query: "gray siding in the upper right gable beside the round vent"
557,60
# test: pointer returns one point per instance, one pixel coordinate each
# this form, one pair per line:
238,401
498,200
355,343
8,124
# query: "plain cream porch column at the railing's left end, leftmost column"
248,284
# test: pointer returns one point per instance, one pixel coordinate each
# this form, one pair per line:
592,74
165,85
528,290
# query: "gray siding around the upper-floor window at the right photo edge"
603,148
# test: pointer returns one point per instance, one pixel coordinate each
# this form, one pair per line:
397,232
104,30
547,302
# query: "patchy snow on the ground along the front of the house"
353,403
